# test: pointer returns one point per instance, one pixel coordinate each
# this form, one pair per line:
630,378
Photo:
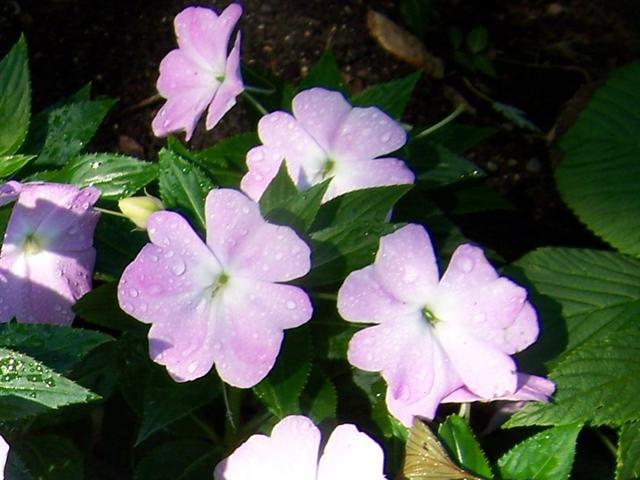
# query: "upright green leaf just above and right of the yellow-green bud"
183,186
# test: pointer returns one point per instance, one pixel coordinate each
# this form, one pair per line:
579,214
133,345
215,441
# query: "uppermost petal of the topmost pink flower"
205,36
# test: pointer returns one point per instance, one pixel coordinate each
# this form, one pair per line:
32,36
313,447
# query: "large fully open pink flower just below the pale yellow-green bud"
217,303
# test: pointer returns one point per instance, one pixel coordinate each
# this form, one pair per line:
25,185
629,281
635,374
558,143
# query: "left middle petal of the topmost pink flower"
179,74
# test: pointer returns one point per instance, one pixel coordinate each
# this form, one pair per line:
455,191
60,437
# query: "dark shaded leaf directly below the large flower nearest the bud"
166,401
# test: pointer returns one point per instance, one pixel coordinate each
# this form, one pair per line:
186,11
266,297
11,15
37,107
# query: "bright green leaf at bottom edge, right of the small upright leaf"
547,455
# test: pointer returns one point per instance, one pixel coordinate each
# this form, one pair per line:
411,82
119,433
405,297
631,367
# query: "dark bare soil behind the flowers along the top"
546,55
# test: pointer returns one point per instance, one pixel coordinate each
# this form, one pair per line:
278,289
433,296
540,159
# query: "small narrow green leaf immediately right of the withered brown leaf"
457,436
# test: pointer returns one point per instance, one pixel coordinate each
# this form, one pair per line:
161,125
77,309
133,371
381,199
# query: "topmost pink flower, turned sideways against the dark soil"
199,74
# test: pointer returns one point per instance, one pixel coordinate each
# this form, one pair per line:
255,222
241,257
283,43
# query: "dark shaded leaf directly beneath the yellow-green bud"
117,244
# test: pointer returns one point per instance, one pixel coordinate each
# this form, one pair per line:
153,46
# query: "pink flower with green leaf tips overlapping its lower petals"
327,138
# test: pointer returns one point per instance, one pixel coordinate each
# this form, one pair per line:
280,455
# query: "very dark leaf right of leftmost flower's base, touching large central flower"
100,307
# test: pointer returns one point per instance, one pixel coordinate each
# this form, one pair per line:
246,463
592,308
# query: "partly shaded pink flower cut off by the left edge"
47,256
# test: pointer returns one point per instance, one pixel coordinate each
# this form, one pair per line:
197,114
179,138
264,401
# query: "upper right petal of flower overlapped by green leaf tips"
367,133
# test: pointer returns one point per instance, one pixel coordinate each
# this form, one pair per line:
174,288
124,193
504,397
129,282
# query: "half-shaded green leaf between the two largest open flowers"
337,251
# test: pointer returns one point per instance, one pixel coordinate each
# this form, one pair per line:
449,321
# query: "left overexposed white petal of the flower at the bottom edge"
271,458
